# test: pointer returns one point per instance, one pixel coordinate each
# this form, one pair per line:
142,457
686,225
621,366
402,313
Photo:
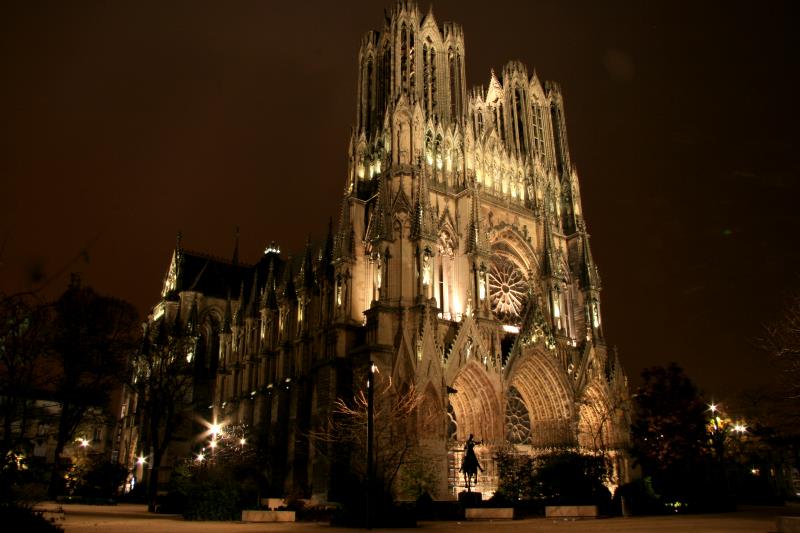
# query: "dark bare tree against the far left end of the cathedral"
161,375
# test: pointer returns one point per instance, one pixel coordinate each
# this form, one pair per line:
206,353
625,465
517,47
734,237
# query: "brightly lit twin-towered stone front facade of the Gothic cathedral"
463,251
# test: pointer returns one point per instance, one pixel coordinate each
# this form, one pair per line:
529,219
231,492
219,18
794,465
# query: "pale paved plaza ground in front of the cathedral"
127,518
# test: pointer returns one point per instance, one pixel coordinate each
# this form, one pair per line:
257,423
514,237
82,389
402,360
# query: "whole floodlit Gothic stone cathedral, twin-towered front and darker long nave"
460,270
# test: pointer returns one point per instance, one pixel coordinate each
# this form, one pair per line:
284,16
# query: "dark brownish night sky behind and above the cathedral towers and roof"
122,123
